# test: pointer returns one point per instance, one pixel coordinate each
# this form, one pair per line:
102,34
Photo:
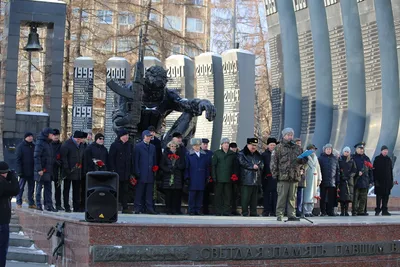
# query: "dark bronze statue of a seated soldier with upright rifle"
147,102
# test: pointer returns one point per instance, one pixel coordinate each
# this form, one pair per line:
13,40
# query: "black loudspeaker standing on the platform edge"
101,197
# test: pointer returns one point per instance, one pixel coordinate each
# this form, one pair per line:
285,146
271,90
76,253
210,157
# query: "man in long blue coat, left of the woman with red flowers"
145,169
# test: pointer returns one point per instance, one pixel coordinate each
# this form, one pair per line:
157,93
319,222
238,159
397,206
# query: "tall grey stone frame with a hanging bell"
33,14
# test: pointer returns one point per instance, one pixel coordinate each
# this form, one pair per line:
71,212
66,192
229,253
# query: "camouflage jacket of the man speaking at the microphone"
285,166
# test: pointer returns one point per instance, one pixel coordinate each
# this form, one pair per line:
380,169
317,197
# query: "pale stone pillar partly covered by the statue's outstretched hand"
210,85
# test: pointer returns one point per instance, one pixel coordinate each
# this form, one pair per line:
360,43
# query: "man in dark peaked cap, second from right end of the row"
362,180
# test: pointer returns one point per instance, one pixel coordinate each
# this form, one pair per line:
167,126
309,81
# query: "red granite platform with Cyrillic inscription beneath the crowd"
148,240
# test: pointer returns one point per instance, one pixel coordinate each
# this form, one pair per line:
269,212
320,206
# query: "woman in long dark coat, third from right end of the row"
348,170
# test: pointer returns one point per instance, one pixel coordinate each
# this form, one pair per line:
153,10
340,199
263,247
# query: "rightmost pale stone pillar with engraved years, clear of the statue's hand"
238,68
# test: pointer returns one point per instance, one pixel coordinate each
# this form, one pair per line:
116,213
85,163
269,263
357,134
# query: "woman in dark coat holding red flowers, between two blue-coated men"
172,166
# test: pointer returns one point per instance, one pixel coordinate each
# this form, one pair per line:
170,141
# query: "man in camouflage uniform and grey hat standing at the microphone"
287,168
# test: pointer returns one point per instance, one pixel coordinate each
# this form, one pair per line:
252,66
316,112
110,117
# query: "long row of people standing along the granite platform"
290,181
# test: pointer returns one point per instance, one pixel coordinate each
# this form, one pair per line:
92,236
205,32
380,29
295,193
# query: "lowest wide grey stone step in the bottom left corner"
24,254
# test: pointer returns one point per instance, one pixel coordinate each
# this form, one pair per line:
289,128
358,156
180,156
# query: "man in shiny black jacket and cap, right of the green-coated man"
251,166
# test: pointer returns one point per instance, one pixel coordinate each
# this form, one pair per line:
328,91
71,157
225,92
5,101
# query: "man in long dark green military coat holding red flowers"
223,161
